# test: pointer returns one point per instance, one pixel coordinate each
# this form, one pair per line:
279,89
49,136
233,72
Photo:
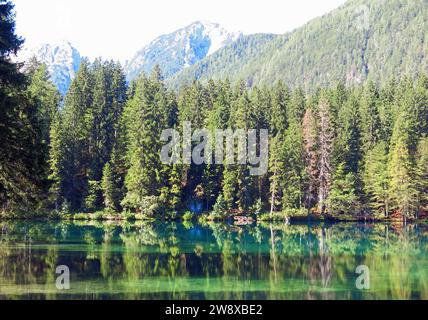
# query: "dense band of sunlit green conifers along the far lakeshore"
320,151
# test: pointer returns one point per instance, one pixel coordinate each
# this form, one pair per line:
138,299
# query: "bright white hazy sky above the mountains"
117,29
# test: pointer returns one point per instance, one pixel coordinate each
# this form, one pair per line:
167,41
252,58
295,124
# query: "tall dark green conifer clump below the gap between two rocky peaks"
90,123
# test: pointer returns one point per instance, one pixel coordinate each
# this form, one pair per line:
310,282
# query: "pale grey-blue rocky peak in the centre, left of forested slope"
180,49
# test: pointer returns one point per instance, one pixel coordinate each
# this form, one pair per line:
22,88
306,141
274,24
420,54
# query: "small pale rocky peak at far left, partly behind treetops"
61,58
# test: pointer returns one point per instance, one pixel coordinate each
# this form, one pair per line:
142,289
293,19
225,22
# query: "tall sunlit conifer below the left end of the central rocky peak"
142,114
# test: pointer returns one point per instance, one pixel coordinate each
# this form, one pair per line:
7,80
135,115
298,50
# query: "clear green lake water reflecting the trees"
216,261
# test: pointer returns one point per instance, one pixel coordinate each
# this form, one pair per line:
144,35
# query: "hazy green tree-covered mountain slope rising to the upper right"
361,40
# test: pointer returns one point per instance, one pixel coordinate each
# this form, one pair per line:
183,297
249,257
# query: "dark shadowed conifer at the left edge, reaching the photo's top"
22,162
